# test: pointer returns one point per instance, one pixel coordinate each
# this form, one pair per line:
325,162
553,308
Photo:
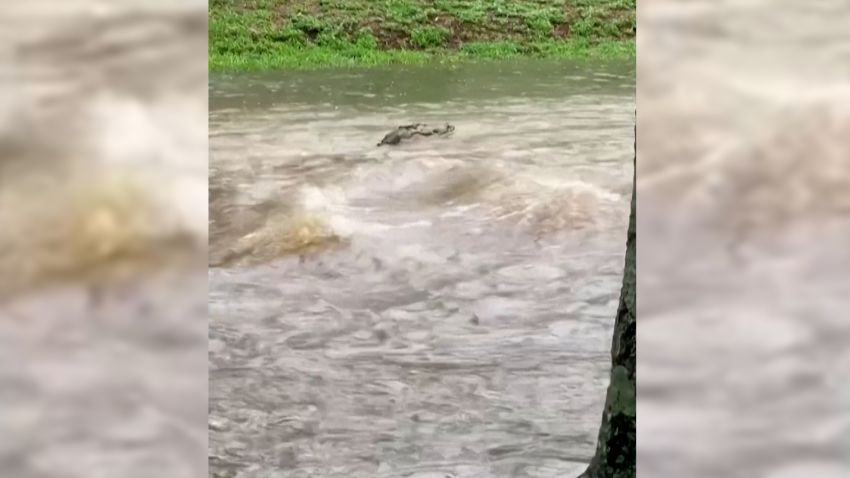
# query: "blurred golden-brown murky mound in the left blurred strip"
60,228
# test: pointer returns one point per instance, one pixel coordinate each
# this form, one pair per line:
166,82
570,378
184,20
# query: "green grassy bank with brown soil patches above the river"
299,34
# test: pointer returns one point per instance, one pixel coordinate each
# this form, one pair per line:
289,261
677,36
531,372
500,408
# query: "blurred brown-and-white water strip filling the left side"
103,233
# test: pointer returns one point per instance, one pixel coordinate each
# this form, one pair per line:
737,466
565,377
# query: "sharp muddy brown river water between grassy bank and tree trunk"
440,308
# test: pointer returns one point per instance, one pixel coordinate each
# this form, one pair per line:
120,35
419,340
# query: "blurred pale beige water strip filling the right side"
744,222
